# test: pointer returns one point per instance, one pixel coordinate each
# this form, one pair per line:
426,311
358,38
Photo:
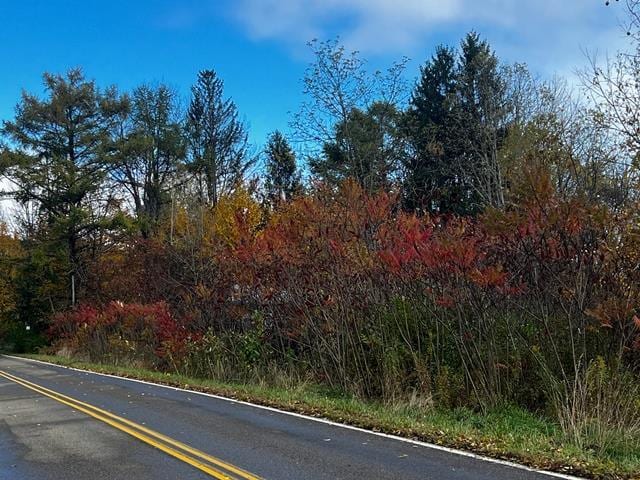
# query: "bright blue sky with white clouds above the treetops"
258,46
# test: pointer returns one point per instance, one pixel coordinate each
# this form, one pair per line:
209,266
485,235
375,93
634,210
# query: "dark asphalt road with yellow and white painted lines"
43,438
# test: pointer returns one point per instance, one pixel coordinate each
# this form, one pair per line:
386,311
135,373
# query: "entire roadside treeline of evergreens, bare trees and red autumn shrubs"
469,241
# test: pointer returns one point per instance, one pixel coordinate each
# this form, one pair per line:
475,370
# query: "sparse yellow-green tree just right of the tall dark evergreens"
560,137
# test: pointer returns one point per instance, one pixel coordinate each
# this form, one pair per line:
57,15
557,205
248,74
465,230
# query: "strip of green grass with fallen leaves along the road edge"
509,433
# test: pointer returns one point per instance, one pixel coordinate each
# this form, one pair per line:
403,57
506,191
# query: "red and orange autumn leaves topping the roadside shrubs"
336,250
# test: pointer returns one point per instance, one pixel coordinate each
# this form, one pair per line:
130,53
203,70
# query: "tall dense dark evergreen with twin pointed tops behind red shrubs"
456,122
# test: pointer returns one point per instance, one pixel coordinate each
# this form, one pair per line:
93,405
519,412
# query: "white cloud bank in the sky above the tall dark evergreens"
555,29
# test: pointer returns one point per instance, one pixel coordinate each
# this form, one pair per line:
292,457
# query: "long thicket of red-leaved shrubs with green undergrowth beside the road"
349,284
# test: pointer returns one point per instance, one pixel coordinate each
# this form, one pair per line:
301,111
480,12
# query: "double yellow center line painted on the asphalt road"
202,461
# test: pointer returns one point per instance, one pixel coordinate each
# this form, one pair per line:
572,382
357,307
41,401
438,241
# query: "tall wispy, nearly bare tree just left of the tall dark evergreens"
349,116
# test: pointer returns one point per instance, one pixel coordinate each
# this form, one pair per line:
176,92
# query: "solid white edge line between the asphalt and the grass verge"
321,420
